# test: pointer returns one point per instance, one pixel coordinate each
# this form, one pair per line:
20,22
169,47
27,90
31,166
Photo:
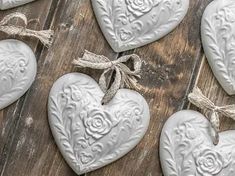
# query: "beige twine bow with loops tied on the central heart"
123,76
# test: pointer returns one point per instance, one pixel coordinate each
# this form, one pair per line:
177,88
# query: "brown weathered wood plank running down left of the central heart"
33,151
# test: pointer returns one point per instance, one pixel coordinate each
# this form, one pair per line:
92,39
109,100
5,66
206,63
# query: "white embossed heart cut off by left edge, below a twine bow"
18,68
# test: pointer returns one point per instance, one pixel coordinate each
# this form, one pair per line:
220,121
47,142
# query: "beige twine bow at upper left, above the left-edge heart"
45,36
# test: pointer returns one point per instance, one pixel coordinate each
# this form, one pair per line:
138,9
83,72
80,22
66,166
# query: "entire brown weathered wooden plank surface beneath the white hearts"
173,65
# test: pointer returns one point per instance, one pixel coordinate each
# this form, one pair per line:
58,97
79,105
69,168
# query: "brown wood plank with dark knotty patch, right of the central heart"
166,78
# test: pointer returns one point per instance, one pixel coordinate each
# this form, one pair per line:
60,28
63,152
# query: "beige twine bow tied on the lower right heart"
198,99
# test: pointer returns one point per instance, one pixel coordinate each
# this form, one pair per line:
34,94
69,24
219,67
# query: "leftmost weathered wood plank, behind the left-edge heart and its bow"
9,116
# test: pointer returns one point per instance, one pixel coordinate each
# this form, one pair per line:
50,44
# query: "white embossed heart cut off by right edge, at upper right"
218,29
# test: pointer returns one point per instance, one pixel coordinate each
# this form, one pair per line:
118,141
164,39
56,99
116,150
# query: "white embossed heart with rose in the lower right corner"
186,147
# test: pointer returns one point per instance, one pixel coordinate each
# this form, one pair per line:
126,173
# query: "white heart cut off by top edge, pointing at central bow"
129,24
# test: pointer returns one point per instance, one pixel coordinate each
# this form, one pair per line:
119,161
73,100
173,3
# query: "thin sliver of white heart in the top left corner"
7,4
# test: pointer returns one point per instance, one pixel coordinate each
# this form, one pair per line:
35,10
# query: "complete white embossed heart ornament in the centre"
88,134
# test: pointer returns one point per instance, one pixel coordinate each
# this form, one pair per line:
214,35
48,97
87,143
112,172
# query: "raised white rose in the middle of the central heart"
98,123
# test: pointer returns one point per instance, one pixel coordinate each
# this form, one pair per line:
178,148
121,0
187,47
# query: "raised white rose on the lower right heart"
209,162
